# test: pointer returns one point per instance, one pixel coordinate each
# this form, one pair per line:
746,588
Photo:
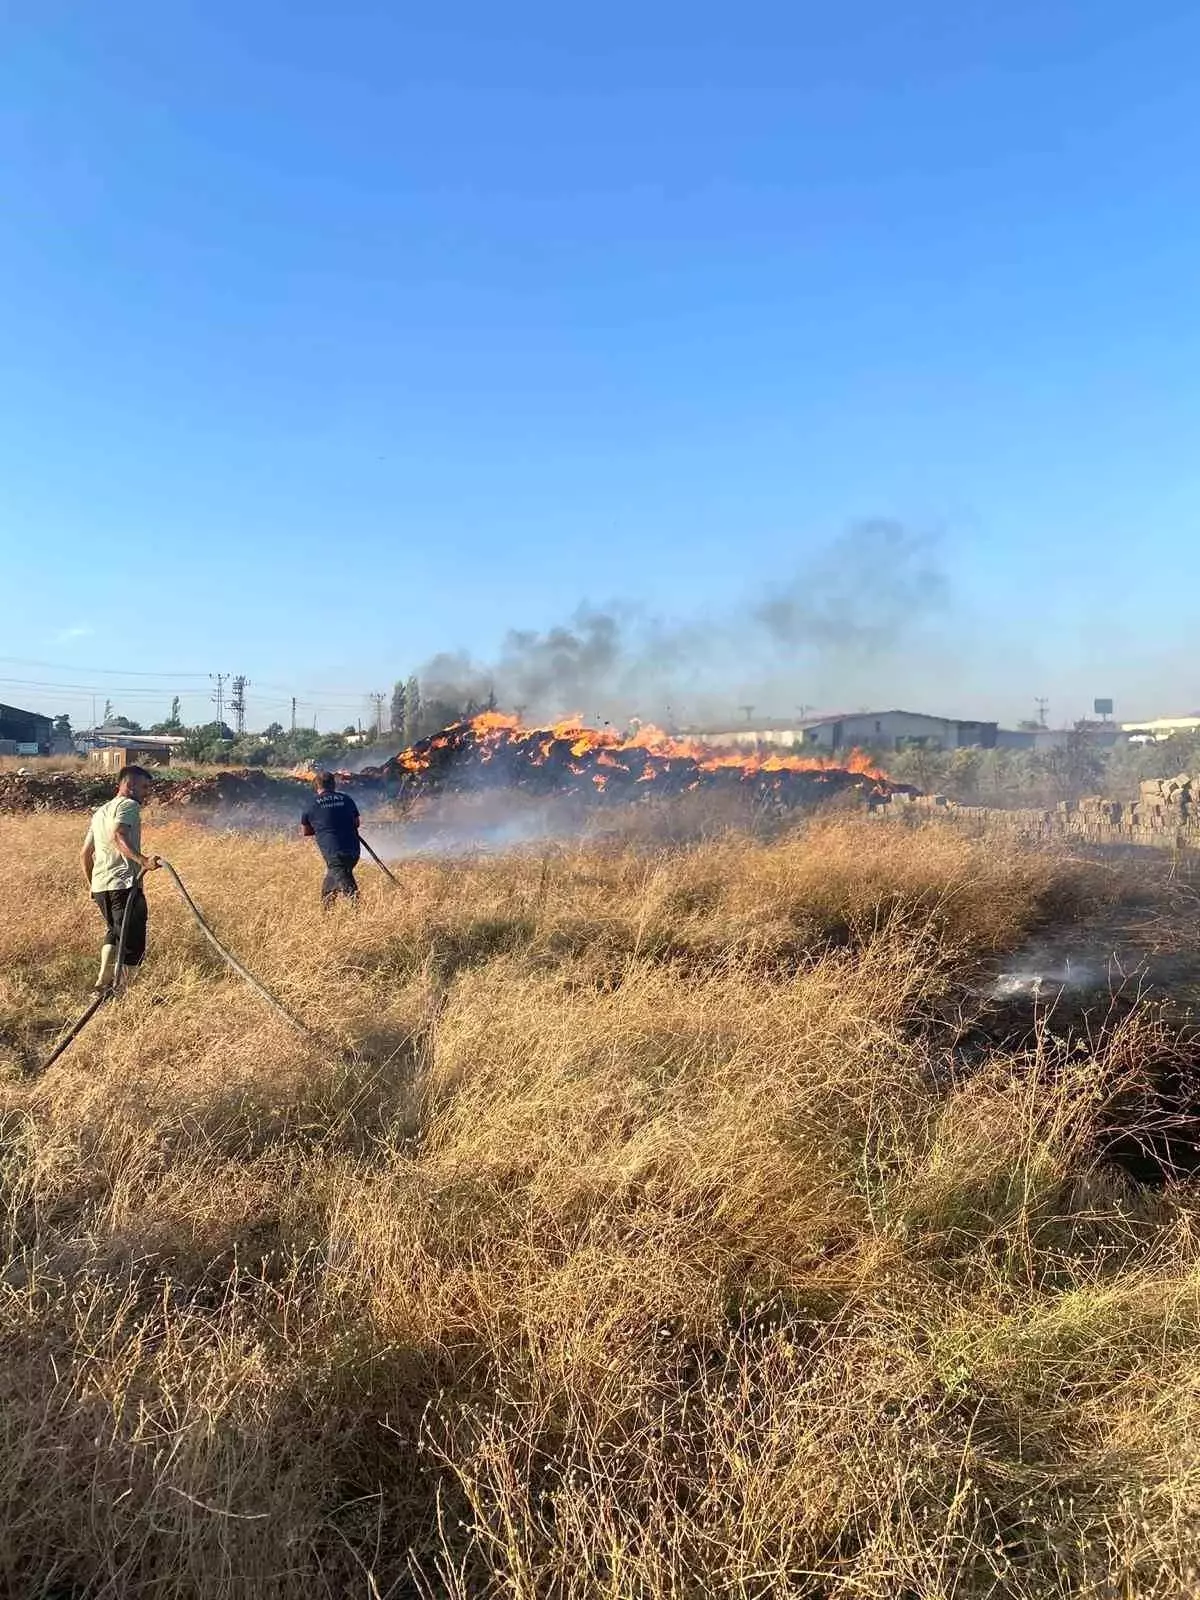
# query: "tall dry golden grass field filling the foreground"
628,1231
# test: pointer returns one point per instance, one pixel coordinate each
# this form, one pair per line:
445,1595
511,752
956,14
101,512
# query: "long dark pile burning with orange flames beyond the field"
598,764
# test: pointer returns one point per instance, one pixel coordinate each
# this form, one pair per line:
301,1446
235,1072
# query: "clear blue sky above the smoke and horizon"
334,337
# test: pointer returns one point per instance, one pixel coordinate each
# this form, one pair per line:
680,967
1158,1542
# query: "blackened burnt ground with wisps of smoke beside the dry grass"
1121,983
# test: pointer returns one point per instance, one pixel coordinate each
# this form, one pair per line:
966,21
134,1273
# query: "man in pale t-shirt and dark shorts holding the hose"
113,862
